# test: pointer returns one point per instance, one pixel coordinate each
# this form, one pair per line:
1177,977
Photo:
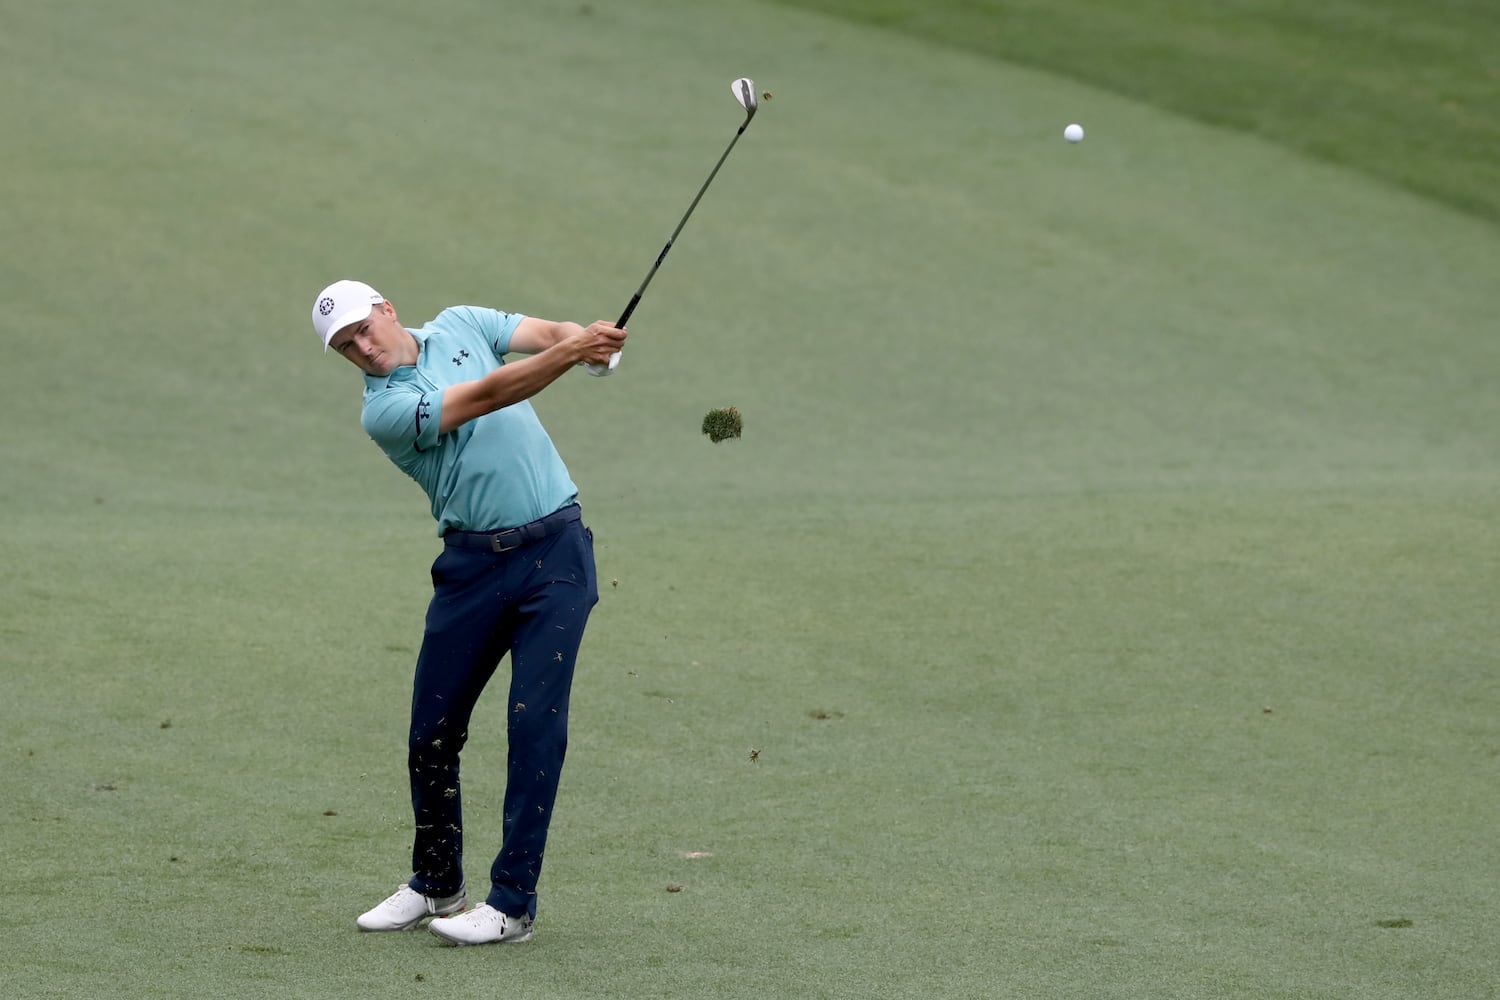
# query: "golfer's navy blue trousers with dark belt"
532,602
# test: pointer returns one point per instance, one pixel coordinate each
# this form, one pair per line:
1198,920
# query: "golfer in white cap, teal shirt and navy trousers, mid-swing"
515,575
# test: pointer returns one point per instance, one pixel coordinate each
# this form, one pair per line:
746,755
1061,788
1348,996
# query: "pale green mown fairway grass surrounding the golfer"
1105,576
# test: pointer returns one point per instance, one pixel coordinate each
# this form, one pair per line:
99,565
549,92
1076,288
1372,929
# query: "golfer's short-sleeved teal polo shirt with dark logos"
496,472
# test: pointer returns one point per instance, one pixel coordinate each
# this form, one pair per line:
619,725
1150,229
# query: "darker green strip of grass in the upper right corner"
1393,89
